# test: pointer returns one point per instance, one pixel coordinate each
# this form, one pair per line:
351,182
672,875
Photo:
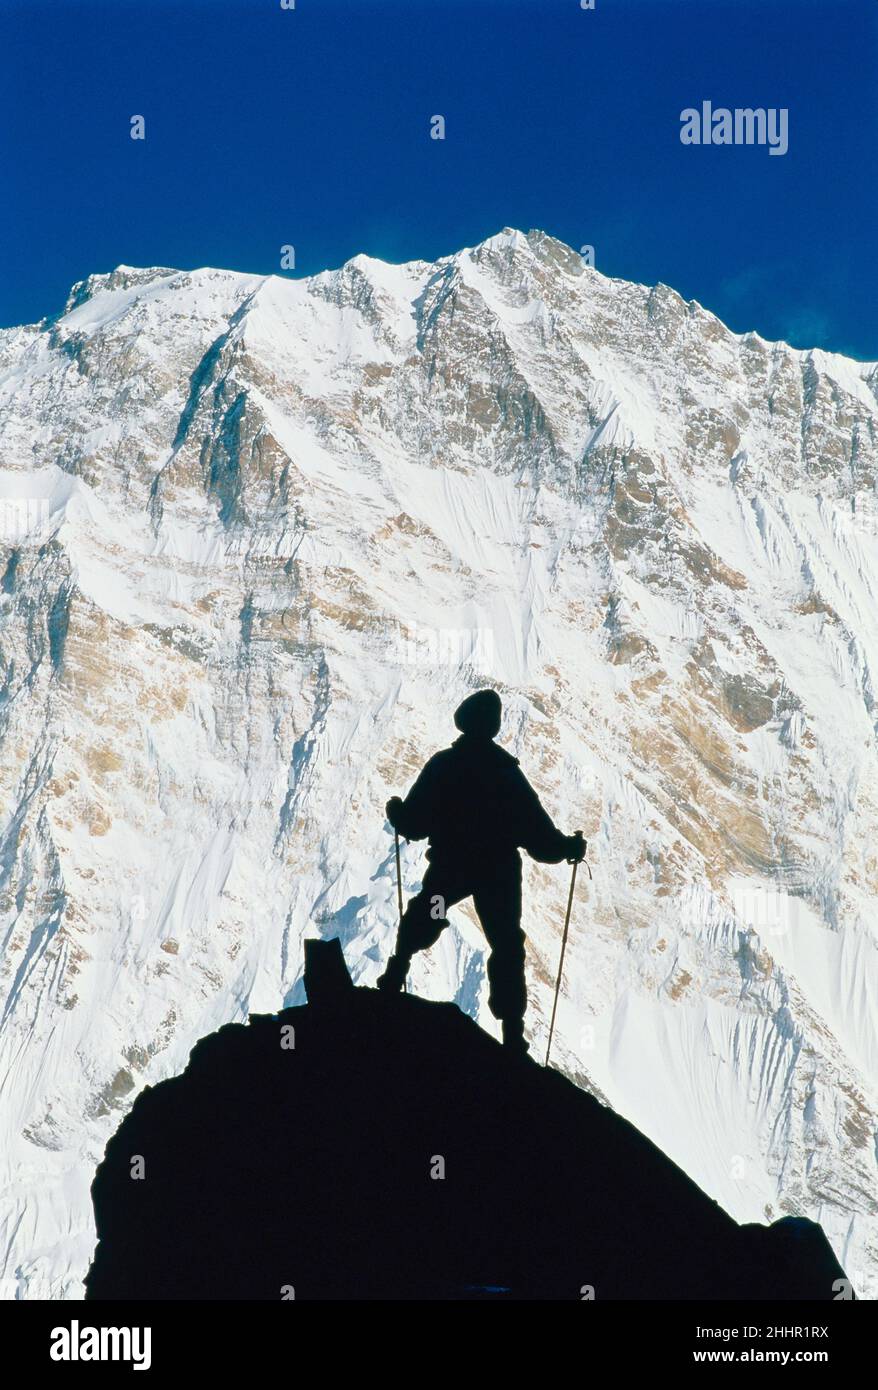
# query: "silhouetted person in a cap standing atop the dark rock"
477,808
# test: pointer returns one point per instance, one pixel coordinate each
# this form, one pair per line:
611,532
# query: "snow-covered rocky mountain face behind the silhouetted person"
259,537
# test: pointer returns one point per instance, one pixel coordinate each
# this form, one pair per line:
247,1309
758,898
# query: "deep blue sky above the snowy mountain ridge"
310,127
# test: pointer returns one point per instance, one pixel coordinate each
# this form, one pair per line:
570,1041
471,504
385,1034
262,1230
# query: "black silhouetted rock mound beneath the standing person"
273,1171
